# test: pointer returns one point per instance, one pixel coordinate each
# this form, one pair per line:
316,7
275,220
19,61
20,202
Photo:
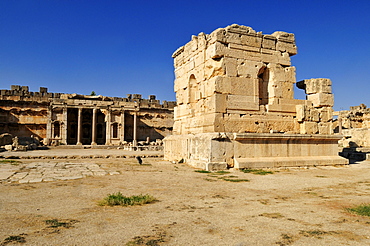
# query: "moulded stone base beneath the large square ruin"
214,151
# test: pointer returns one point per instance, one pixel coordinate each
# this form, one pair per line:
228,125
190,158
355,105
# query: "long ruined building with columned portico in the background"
73,119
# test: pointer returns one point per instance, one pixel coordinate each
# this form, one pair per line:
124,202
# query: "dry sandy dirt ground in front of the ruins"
294,206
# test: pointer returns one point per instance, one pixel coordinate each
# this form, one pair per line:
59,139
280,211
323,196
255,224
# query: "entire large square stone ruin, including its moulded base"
236,106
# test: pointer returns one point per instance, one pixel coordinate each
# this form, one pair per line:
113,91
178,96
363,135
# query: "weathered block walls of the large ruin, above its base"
239,80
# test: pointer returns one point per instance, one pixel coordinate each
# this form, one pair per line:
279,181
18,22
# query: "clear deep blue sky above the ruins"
121,47
